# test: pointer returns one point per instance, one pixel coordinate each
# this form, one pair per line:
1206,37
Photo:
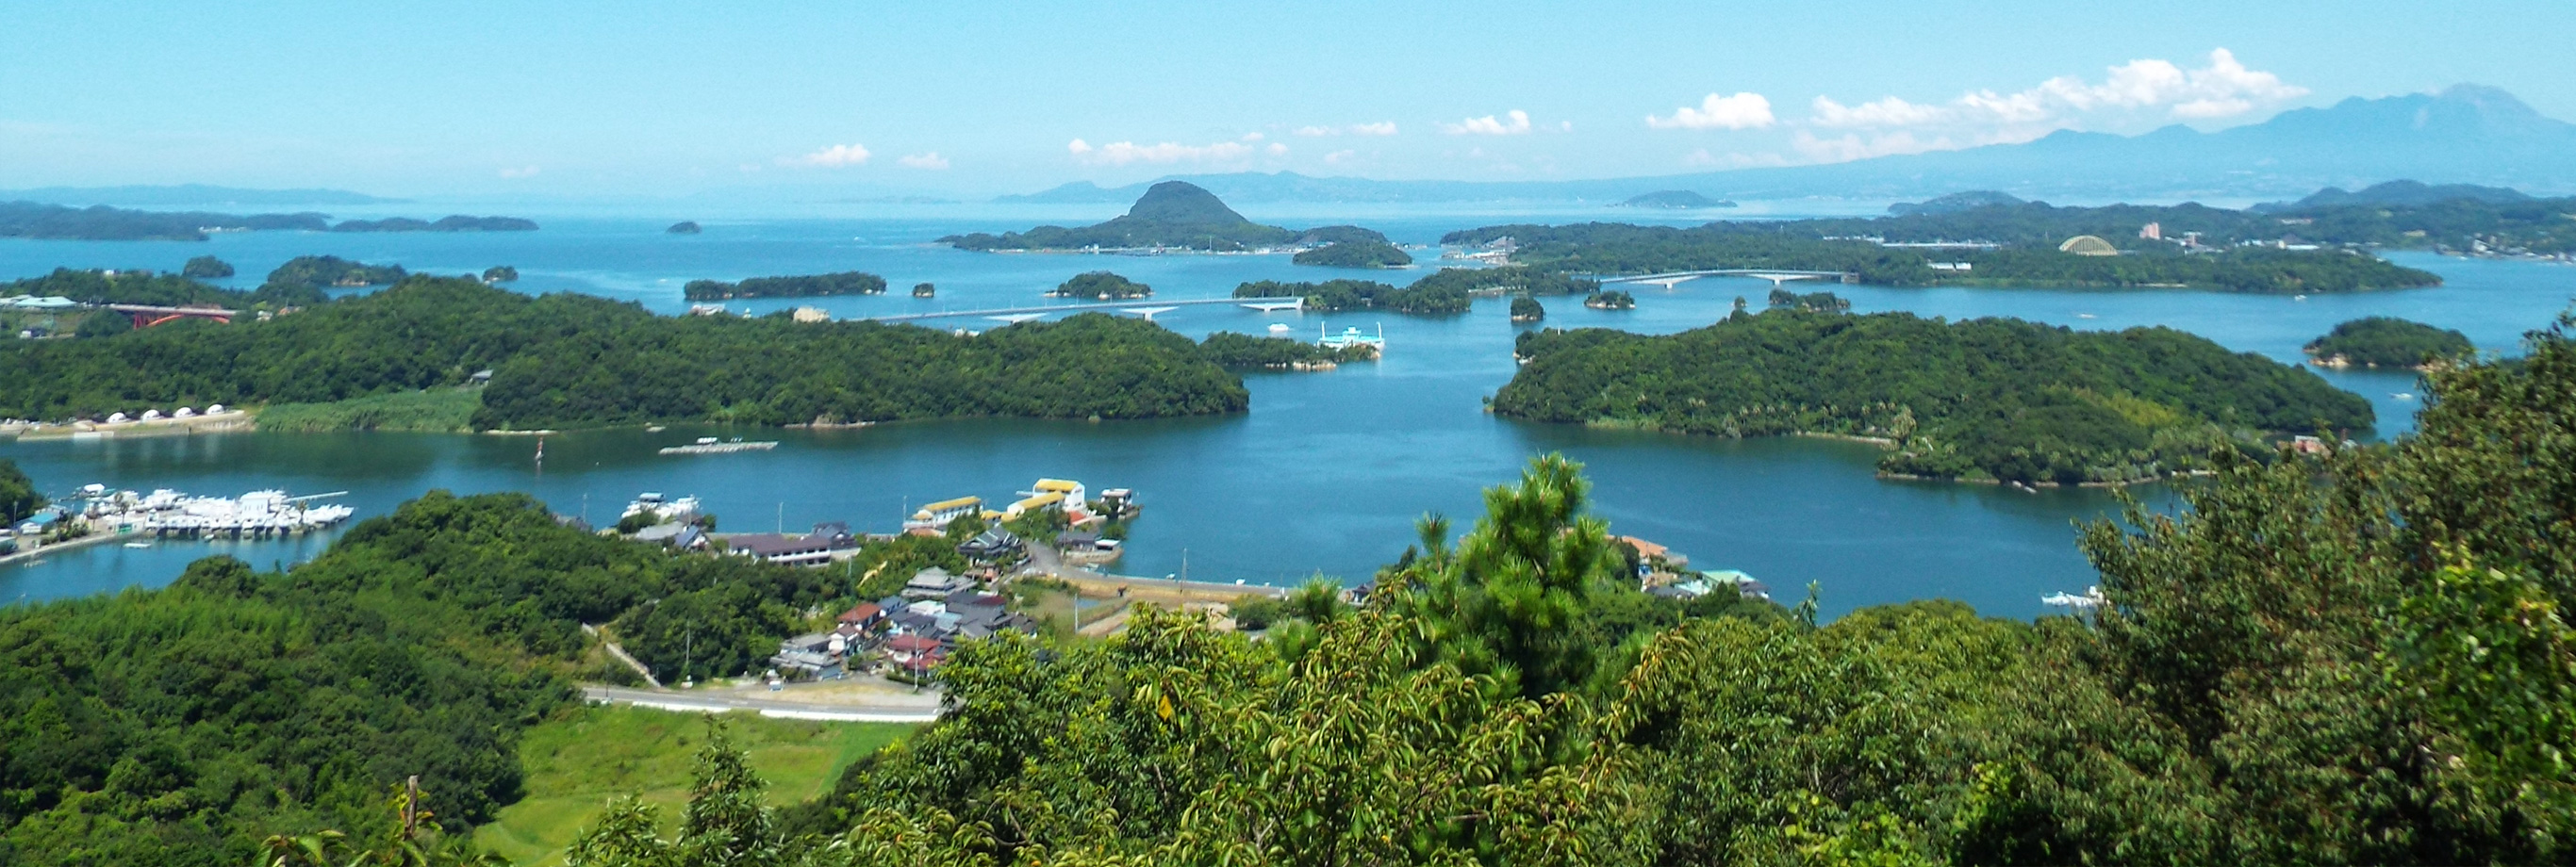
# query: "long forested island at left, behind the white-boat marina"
576,361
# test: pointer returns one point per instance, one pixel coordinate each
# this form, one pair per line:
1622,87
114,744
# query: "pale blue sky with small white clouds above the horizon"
601,99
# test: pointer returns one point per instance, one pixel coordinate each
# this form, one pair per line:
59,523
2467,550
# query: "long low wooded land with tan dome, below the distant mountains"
1841,246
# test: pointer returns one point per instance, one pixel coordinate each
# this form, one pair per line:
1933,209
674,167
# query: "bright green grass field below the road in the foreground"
586,758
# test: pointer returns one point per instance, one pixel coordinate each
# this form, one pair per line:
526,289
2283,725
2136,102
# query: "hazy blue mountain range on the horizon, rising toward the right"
2467,135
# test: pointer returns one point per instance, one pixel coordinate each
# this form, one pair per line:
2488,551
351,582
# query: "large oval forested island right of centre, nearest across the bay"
1982,400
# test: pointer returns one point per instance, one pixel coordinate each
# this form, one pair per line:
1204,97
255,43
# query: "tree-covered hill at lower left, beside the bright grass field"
187,724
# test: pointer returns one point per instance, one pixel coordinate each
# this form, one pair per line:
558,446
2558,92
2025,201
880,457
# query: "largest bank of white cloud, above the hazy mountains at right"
2142,91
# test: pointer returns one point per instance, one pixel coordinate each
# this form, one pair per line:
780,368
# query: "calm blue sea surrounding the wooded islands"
1323,477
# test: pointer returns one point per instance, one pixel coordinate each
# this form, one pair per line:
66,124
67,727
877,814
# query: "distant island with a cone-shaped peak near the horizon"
1173,215
